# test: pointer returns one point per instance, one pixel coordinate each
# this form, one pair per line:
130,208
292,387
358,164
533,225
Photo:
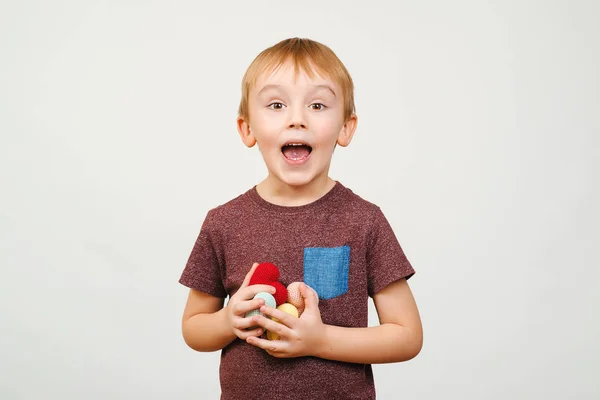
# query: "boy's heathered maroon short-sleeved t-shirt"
249,229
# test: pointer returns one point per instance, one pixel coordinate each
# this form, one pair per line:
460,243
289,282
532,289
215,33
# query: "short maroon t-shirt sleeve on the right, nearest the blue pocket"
386,261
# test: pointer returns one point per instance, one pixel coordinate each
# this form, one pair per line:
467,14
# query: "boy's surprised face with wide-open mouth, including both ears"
296,124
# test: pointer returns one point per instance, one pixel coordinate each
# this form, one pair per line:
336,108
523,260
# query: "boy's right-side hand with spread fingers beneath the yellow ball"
298,337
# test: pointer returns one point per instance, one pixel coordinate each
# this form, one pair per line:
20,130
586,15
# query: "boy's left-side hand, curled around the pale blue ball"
241,303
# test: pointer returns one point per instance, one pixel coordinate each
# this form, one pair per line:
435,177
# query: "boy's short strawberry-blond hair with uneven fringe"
306,54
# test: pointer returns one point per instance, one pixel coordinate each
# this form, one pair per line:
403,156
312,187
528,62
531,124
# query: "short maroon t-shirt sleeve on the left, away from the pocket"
202,271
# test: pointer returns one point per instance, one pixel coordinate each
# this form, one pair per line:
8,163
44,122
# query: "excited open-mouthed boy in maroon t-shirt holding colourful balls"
297,105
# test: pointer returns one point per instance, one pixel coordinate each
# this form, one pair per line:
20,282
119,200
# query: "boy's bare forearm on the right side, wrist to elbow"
385,343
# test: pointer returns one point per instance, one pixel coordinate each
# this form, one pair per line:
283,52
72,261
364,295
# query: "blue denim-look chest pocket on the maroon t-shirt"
326,270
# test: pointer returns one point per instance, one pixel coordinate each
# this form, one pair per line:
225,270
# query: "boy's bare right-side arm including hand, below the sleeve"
398,338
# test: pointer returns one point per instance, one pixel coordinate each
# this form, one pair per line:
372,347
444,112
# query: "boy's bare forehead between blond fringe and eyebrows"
287,74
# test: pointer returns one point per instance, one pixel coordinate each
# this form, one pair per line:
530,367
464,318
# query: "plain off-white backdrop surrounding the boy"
478,137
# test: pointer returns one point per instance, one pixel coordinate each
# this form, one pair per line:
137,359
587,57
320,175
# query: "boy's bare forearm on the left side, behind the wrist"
208,331
